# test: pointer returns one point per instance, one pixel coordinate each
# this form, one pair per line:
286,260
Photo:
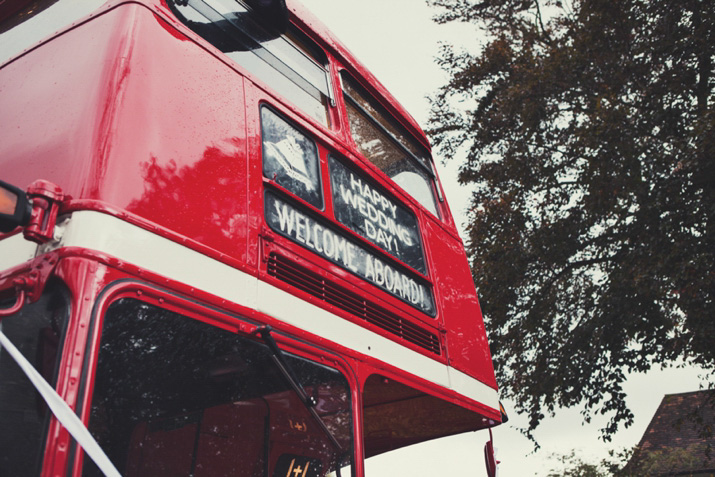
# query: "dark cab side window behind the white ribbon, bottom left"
37,330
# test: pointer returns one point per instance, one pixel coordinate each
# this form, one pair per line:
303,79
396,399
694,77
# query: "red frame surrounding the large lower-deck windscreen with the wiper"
241,322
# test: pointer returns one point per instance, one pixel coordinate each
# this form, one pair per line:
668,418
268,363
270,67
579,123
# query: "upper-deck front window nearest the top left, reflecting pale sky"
290,64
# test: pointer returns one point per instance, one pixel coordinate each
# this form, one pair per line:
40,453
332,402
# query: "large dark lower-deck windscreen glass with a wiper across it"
178,397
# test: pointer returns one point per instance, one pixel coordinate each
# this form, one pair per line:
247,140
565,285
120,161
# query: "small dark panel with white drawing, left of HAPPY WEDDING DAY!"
290,158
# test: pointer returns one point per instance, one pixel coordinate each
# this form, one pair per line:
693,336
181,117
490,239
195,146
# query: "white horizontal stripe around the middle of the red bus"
110,235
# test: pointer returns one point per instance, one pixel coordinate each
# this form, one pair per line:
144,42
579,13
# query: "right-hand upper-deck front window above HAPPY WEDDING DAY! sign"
388,146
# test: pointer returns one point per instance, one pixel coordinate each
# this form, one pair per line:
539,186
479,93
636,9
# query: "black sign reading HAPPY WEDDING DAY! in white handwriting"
365,209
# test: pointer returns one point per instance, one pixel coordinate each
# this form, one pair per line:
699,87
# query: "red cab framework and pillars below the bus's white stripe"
95,281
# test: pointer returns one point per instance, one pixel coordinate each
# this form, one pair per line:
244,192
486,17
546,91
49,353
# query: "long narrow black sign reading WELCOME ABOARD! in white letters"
315,234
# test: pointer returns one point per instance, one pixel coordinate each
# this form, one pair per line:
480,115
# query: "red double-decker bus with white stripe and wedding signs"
224,250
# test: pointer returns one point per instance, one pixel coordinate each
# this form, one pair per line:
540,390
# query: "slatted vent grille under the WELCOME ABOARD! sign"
328,291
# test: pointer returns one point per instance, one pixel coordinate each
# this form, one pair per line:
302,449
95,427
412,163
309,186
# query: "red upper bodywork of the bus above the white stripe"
168,141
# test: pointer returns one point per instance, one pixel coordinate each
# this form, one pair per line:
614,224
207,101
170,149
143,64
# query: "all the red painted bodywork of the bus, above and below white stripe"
143,120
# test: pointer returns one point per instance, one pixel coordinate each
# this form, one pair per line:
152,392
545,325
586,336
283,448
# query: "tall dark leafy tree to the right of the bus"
588,129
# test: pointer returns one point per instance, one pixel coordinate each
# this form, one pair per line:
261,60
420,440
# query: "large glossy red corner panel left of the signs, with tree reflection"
118,125
